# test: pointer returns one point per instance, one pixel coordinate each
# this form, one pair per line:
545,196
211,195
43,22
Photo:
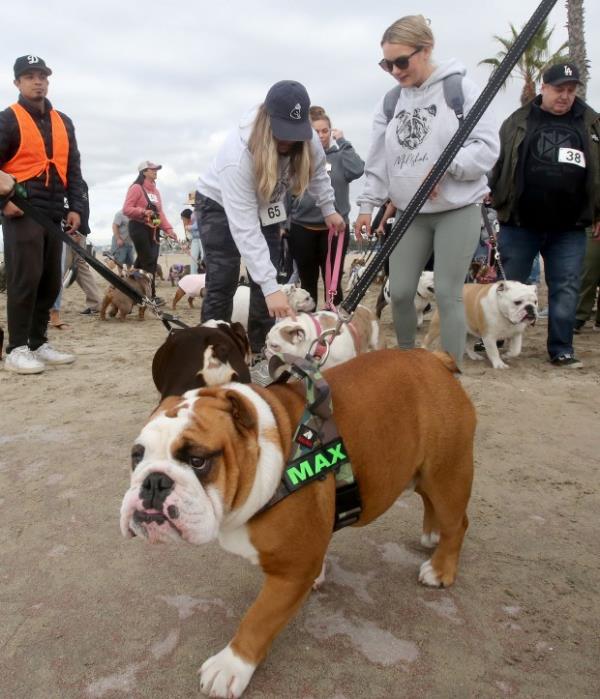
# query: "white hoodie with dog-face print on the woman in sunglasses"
403,152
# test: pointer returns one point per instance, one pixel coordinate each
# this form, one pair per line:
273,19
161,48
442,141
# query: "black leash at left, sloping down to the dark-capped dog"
119,283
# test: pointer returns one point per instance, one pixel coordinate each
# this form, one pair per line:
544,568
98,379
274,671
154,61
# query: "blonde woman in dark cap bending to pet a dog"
241,204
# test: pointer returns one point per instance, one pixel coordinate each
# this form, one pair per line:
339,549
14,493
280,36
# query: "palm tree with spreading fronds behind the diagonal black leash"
533,61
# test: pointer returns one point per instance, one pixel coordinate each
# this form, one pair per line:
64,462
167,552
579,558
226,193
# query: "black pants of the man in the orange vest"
33,277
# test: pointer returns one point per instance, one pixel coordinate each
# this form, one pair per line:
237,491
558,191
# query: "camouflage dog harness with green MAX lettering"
317,448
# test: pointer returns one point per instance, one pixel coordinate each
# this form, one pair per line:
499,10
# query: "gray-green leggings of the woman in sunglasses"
452,236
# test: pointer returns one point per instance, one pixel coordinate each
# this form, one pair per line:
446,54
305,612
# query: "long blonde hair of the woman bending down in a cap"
263,147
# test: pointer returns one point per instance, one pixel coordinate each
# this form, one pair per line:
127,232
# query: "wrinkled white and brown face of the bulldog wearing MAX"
172,494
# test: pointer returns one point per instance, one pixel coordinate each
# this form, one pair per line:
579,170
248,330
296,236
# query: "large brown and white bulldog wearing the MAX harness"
206,463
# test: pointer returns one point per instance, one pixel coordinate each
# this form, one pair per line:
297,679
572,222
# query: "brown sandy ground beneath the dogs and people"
87,614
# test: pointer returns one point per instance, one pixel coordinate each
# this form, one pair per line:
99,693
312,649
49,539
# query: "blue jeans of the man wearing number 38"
563,255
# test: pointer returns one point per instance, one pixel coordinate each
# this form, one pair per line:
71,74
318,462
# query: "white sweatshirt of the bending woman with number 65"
230,181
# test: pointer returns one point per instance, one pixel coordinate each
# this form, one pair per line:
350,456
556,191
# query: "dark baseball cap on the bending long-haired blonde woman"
287,103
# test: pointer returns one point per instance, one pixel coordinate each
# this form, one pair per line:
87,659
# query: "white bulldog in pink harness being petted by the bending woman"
296,337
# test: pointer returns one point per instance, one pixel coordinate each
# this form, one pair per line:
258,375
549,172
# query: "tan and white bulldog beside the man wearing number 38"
500,311
